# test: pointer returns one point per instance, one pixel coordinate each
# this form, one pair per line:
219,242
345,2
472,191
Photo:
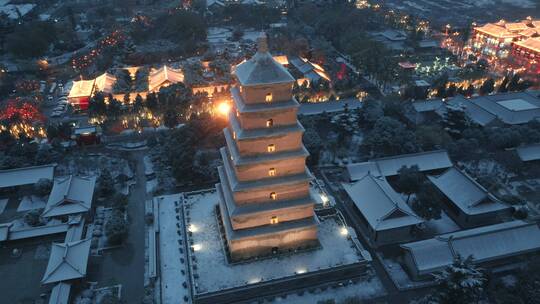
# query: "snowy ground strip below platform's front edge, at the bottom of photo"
370,288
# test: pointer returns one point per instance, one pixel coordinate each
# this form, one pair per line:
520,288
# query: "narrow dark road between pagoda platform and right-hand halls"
394,295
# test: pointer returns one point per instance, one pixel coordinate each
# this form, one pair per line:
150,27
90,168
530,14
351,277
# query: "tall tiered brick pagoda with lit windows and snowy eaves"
265,203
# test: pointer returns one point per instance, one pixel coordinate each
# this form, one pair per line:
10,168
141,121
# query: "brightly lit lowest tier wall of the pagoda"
268,240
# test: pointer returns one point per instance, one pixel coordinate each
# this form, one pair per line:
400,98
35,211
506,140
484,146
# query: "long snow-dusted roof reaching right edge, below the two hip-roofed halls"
484,244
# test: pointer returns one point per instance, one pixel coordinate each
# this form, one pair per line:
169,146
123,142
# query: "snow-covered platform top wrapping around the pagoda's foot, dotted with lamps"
215,273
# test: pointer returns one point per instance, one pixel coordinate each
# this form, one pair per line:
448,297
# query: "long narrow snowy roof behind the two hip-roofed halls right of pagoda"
389,166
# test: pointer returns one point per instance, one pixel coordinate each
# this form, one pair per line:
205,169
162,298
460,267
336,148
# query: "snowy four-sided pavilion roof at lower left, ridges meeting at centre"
67,261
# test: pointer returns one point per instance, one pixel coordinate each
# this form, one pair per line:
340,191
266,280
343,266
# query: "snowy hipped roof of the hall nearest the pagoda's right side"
380,205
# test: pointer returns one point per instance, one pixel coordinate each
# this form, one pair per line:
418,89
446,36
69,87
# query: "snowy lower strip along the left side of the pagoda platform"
170,256
